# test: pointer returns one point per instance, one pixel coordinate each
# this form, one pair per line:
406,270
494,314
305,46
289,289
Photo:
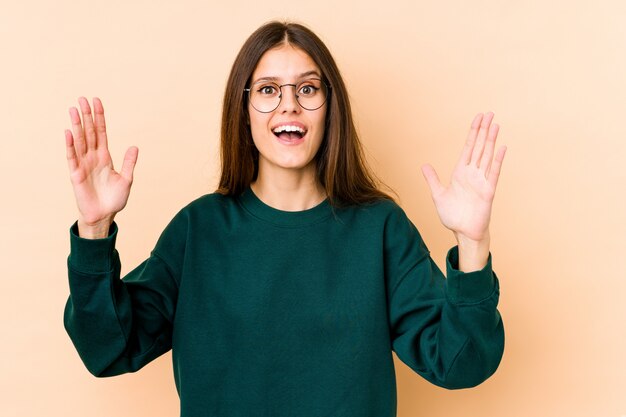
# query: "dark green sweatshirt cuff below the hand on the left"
92,255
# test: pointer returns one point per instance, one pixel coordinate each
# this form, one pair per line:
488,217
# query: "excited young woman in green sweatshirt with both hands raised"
285,292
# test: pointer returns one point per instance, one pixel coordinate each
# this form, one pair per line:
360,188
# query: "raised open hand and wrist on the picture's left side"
100,191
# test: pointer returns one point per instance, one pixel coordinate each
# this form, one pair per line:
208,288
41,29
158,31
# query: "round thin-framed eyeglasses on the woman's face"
265,96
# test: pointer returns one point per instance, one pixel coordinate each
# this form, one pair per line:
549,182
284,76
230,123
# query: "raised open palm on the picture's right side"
464,206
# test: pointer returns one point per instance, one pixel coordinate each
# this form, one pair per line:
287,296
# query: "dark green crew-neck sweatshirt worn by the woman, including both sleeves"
273,313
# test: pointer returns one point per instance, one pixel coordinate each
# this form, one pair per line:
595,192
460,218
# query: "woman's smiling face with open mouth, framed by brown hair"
289,137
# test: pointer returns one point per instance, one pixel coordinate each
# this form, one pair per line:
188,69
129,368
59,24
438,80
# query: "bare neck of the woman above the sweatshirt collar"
288,191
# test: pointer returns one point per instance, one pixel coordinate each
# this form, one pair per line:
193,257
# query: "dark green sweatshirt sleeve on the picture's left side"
117,325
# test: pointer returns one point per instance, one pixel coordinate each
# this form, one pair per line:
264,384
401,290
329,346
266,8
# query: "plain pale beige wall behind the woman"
418,71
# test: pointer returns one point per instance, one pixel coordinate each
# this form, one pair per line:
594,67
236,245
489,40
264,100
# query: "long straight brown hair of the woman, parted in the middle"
341,165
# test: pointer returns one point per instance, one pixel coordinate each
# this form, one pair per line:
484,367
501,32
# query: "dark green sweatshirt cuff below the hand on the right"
468,287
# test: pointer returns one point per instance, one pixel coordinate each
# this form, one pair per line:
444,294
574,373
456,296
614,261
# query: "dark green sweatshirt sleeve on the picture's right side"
447,330
